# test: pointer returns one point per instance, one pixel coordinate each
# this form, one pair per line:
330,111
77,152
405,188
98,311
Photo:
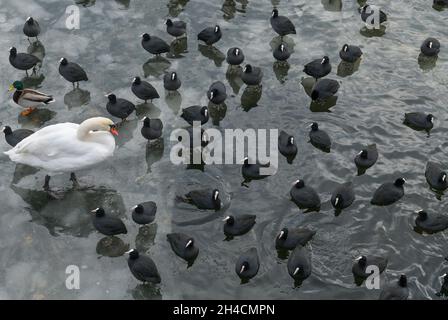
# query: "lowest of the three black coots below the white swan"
143,267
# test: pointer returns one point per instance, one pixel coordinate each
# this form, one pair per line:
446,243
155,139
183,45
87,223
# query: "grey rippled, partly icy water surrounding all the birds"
39,238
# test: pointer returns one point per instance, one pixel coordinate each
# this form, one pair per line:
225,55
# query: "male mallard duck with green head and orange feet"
28,98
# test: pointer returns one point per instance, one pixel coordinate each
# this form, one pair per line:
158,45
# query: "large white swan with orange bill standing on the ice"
67,147
